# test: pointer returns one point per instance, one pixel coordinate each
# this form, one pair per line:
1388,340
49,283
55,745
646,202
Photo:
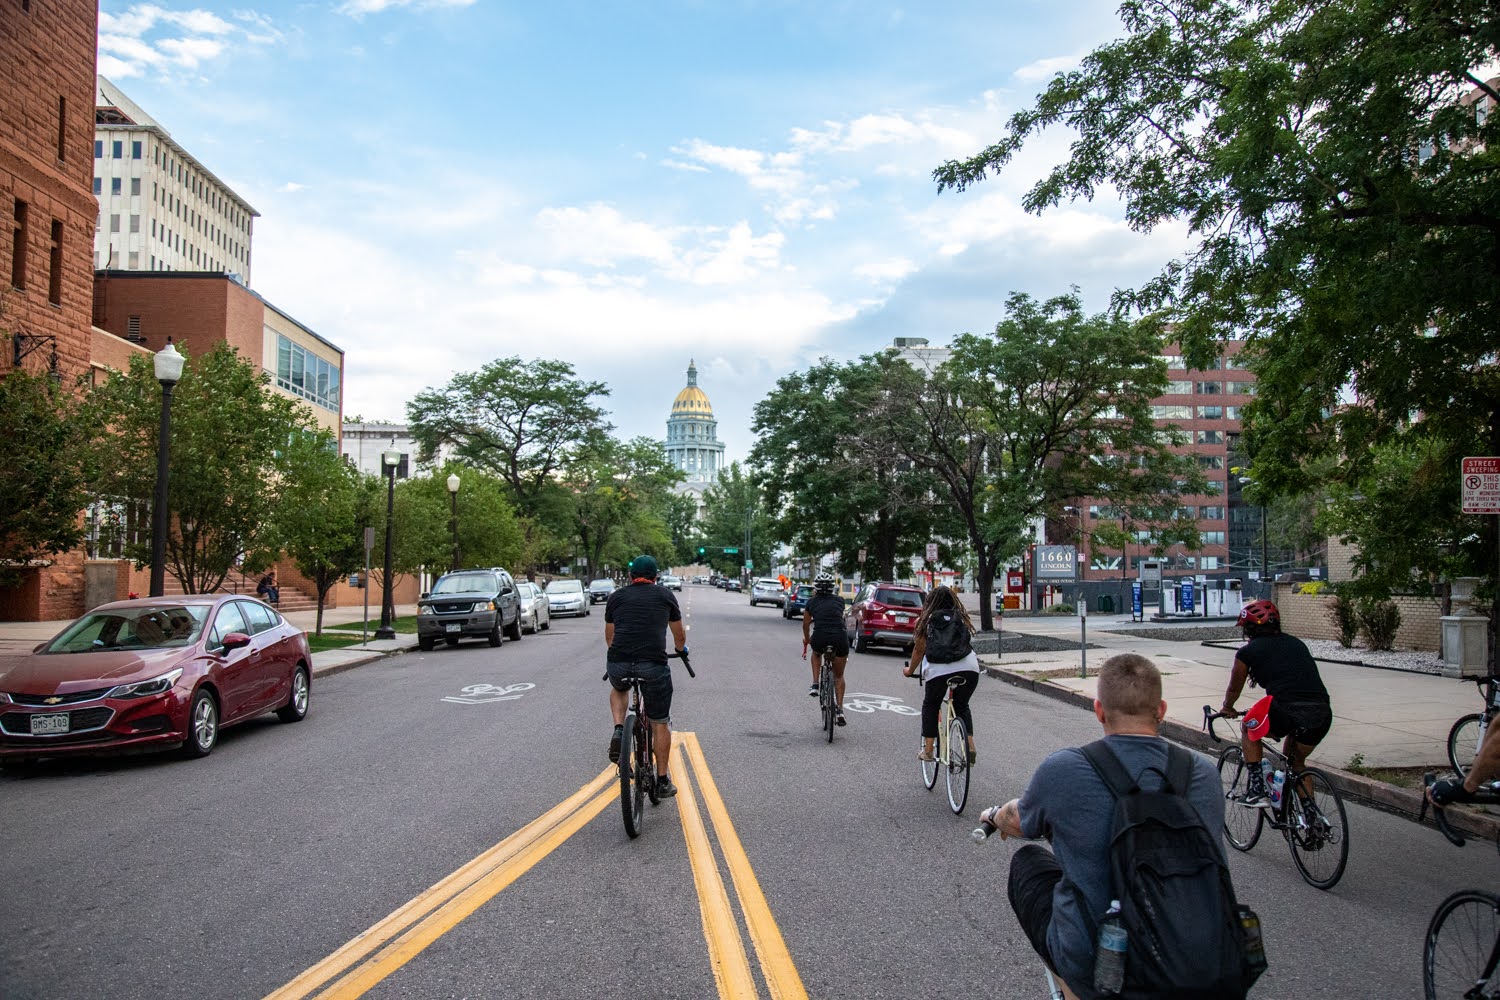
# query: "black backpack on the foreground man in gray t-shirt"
1187,939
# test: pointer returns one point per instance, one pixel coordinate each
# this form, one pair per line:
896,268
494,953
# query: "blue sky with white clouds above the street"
628,187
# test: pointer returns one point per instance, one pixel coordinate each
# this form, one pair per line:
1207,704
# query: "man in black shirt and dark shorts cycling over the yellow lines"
637,620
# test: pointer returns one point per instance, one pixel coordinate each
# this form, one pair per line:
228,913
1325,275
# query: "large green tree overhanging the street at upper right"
1339,185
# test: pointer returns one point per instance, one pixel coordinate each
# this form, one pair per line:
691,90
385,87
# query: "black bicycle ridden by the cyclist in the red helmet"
1316,830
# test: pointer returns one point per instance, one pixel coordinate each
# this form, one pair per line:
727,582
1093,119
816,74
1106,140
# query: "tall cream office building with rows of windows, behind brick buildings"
160,209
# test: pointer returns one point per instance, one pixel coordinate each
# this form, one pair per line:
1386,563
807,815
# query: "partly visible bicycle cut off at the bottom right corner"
1462,950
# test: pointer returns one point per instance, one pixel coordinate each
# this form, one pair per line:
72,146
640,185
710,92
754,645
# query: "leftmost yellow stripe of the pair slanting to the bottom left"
370,941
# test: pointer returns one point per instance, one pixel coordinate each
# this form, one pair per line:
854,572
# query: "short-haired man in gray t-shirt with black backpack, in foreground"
1114,810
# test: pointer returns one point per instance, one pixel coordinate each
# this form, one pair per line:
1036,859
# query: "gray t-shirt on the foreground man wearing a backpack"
1069,804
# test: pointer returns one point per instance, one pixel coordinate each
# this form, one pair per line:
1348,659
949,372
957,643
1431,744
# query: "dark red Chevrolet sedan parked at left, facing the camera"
154,674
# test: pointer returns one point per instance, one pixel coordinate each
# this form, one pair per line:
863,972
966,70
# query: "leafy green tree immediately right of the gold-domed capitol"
832,485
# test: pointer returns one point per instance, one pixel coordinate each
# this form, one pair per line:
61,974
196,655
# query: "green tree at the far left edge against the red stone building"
44,487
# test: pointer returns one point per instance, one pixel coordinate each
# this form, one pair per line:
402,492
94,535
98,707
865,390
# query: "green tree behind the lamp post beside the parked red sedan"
230,434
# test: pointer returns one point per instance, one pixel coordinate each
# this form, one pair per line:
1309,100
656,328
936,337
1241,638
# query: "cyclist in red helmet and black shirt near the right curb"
1300,707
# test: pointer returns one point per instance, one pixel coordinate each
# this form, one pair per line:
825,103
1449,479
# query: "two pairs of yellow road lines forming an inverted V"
400,938
